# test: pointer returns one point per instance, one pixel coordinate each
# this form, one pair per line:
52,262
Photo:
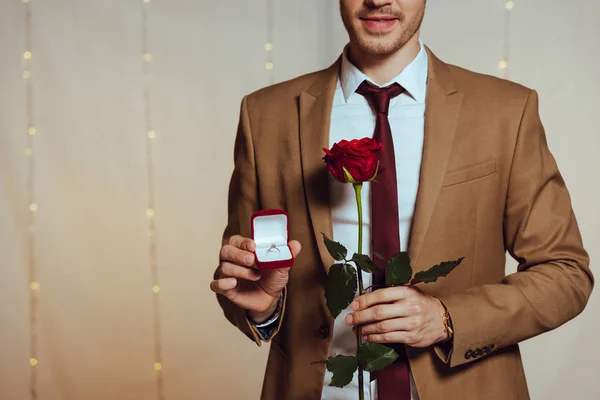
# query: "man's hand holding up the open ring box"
239,280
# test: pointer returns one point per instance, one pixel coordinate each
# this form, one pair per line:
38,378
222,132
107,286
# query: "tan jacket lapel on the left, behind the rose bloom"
315,119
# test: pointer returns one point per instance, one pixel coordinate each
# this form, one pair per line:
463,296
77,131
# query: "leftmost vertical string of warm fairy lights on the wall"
34,285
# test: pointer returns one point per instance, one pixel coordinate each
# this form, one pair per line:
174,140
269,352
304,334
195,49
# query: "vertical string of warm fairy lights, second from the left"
150,210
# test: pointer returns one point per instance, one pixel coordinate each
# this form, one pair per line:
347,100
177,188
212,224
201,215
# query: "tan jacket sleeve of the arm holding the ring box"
243,201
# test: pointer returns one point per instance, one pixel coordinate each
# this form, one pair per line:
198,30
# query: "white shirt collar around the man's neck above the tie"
413,78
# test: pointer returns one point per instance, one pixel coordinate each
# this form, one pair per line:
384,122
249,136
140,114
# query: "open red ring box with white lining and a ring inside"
271,227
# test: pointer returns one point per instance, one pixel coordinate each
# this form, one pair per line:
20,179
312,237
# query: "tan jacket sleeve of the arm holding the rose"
553,282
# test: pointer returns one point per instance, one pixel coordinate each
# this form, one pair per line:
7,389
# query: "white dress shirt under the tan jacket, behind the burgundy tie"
353,118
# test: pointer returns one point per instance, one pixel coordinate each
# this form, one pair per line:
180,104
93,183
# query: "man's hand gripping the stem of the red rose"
402,314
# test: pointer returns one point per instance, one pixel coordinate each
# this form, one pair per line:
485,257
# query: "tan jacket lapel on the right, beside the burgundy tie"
442,108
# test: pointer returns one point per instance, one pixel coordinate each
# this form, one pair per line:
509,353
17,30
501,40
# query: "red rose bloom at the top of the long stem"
359,159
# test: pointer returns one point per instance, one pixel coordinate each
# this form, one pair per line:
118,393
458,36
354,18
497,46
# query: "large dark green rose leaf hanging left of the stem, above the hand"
340,288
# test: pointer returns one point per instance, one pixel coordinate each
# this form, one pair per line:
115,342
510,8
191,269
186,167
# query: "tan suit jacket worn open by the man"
488,186
